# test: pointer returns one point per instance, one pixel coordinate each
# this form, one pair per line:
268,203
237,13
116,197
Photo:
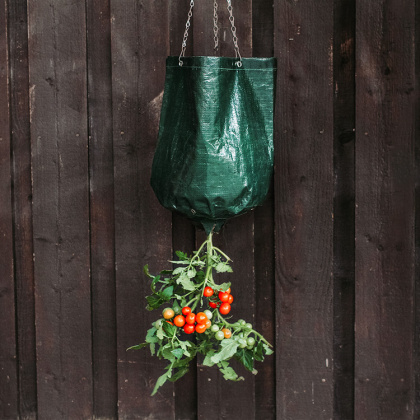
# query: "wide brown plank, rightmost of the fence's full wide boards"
385,122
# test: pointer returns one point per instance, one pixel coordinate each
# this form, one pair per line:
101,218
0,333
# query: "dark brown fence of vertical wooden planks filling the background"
327,268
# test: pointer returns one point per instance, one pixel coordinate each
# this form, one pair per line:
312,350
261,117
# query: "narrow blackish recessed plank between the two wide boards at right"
343,263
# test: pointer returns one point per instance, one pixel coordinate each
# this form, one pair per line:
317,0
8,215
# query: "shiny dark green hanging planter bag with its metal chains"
214,158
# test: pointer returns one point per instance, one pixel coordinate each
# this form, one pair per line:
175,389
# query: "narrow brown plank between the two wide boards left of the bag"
101,169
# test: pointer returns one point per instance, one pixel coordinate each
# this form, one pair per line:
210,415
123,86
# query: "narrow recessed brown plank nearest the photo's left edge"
22,200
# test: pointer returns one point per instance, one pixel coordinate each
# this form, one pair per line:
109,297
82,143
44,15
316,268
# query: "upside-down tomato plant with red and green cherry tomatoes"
187,289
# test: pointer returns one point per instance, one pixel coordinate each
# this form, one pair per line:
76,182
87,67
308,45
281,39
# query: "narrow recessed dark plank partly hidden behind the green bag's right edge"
265,381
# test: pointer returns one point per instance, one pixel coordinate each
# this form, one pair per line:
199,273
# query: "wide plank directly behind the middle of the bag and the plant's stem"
218,398
